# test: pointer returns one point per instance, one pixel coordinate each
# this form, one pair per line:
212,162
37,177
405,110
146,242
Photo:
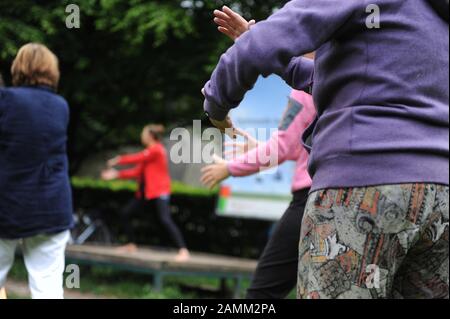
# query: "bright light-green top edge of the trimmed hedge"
119,186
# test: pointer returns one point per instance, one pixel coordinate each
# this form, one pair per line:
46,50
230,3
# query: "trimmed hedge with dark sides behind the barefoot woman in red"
193,210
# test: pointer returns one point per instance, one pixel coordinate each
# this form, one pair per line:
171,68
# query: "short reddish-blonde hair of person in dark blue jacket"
35,64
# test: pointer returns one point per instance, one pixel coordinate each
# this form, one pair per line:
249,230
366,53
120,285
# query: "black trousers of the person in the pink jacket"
276,274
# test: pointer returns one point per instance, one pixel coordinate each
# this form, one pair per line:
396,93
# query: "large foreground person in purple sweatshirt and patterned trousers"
377,219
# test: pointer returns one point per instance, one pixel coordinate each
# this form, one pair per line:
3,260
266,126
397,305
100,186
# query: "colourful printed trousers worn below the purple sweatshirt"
376,242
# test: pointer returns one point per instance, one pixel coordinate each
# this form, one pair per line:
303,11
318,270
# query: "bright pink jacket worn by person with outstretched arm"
297,117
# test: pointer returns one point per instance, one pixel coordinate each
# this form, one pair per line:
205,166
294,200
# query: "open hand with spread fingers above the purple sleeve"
231,23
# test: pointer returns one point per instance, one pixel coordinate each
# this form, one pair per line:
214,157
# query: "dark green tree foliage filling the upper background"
130,63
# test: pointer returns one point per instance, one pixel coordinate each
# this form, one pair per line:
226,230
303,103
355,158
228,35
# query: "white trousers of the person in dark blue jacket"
45,262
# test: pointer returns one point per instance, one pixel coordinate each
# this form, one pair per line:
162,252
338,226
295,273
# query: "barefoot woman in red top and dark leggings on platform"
151,170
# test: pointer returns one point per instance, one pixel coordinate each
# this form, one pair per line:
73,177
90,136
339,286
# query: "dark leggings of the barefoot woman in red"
136,206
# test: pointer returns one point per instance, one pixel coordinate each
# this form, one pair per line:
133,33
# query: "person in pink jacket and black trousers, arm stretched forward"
276,274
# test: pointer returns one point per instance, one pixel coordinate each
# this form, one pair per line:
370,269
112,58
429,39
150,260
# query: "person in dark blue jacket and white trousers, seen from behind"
35,193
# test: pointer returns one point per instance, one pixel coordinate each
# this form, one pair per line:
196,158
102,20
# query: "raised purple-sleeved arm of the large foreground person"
302,26
